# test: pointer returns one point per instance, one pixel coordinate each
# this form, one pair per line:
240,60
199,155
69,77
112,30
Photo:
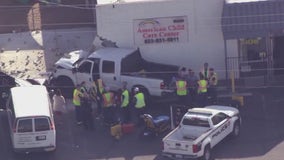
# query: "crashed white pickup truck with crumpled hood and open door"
113,66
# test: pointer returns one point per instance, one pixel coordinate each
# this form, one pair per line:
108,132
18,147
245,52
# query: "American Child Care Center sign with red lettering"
160,30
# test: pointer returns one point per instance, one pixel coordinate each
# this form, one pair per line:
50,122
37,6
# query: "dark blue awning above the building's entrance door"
252,18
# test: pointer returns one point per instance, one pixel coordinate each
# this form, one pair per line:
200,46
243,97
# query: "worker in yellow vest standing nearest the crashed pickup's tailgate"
181,91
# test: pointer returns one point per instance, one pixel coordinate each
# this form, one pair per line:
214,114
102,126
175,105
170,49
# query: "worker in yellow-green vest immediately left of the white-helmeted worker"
125,104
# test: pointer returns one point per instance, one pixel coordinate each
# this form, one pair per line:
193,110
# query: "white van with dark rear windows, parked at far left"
31,119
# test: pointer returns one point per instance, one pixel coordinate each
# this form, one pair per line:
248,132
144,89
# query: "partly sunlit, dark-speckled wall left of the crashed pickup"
27,54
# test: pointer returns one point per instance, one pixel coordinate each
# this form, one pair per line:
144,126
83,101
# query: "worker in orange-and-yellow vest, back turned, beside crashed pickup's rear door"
108,106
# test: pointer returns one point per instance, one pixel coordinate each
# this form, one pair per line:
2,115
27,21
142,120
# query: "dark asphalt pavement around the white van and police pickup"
262,135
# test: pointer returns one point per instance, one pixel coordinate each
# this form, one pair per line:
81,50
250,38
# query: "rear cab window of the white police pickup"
195,121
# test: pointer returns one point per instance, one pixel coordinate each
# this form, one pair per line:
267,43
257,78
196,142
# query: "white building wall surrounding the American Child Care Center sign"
205,38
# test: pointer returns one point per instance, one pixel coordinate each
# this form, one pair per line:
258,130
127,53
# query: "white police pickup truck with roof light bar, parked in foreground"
200,130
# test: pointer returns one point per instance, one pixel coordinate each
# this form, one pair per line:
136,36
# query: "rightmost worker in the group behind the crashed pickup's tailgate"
212,81
